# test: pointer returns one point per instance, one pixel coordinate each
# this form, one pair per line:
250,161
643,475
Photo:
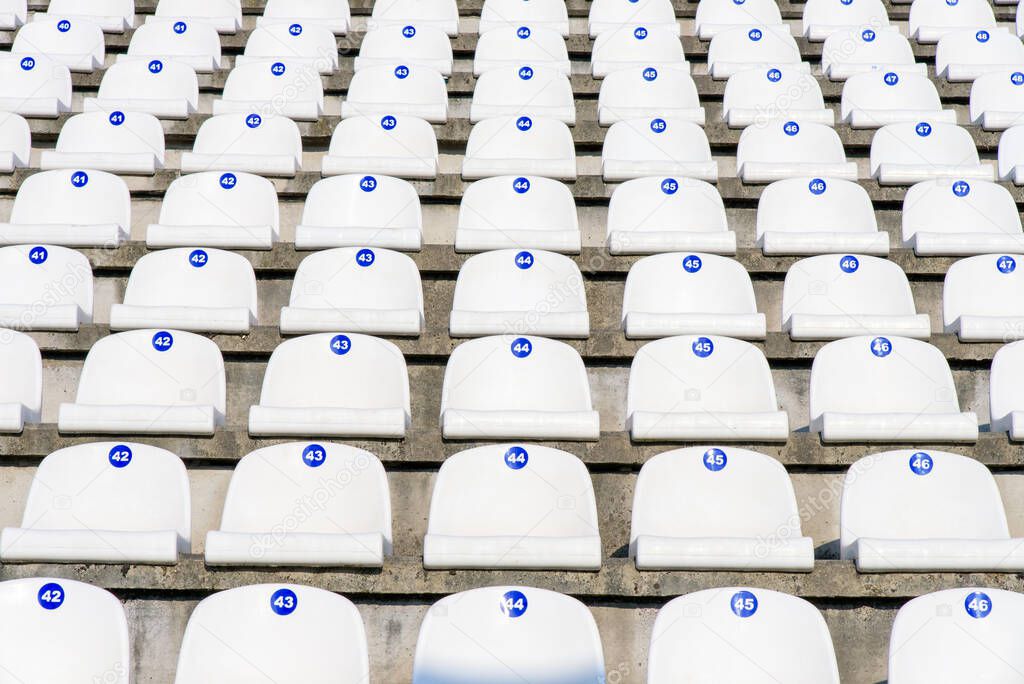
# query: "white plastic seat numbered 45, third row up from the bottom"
691,389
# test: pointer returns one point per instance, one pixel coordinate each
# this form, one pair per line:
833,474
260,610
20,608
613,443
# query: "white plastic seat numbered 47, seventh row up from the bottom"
873,100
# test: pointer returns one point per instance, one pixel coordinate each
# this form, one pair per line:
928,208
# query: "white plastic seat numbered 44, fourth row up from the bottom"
520,292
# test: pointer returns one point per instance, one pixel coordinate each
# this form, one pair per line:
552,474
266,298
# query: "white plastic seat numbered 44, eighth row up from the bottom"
507,48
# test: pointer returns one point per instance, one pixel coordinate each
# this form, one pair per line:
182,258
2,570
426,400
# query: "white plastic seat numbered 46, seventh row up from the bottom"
756,97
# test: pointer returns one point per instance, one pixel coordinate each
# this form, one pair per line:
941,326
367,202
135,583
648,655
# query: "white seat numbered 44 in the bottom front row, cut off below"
508,635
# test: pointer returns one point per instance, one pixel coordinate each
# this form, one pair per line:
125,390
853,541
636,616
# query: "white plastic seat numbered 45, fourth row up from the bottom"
685,293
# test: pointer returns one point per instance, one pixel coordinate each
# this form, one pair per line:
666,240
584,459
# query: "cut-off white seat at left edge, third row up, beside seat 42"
22,376
